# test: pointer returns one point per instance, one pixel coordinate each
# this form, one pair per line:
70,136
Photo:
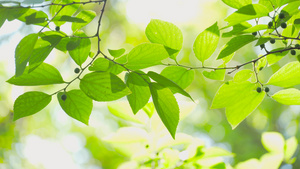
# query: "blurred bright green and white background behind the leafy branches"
51,139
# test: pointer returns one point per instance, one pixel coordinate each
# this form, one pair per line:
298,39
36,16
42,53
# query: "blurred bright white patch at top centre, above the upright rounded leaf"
176,11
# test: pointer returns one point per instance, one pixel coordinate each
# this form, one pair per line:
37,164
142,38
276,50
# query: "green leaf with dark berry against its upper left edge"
77,105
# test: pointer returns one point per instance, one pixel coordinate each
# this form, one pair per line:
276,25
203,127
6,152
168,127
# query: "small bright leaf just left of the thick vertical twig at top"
87,16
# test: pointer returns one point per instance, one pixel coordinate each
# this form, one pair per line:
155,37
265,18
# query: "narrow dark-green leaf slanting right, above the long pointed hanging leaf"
163,81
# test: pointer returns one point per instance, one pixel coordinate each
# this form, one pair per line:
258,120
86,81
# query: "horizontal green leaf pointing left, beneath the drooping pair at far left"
45,74
